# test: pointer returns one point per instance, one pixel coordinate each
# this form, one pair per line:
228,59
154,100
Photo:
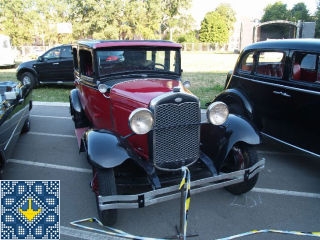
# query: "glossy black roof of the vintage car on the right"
300,44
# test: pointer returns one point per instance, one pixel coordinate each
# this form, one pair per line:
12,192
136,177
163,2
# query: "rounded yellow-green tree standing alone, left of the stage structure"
216,26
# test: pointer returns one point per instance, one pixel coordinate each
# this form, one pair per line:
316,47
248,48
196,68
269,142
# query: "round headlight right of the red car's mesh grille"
217,113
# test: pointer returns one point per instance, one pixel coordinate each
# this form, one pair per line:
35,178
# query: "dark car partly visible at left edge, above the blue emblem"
16,103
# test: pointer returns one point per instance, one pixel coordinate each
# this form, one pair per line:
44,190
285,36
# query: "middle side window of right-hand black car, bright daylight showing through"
270,64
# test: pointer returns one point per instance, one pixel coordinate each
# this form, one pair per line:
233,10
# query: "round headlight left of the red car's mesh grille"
141,121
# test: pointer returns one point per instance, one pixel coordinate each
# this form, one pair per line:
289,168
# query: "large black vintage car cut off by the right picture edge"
275,85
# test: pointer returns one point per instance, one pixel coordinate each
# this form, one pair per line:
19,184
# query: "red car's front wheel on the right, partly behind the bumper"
240,157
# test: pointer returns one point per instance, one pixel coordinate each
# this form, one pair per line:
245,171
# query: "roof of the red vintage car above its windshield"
125,43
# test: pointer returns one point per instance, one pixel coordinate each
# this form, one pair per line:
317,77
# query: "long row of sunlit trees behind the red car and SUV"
35,21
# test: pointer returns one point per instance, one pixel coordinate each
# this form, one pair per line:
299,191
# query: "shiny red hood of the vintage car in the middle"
141,92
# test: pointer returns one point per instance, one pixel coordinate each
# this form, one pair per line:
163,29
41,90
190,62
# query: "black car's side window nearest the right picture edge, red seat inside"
305,67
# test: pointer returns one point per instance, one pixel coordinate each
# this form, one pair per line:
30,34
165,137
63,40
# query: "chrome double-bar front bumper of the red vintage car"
168,193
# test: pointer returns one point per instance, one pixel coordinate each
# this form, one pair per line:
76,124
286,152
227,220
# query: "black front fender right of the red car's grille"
217,141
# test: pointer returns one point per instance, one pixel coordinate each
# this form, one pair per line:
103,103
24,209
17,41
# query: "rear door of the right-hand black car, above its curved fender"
262,83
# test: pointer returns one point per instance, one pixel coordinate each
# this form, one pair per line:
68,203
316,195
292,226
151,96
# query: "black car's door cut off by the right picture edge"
303,100
